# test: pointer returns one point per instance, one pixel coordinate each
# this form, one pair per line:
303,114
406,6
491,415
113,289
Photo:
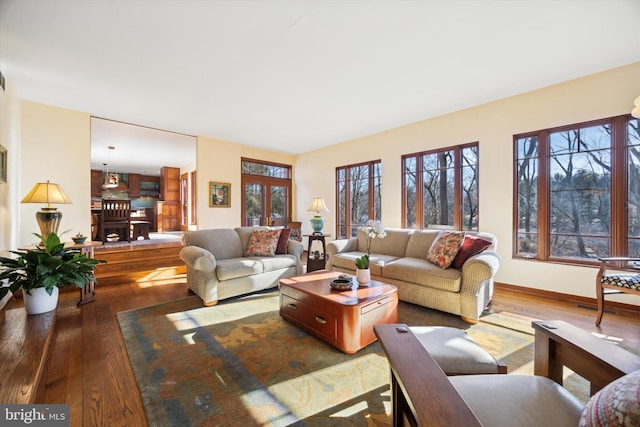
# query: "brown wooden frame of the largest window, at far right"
618,236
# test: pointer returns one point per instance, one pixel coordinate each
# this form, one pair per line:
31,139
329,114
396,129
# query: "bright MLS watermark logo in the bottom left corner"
34,415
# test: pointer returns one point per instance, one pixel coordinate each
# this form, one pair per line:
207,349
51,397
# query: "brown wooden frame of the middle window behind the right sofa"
458,187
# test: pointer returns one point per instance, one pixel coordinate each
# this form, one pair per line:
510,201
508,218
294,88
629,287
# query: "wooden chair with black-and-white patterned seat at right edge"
615,282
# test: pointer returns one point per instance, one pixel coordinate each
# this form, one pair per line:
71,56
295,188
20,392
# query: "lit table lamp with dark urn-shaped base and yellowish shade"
48,217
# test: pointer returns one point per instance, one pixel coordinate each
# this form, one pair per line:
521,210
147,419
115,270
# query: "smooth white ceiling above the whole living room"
293,76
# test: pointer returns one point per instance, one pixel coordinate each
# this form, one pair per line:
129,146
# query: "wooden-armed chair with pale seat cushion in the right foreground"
422,395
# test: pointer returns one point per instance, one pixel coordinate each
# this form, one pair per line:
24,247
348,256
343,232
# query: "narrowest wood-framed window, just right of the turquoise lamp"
358,196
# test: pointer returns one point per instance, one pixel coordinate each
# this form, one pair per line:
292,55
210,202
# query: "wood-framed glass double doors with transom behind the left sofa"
266,193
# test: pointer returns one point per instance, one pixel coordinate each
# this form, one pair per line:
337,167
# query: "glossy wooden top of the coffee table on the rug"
318,284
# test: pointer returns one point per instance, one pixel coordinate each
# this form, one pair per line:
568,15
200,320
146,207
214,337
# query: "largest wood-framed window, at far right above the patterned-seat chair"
577,191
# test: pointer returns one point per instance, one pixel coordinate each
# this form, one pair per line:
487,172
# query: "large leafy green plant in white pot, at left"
41,271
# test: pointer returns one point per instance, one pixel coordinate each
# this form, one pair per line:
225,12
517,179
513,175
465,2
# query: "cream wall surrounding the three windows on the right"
598,96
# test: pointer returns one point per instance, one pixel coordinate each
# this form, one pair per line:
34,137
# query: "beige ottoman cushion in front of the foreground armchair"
455,352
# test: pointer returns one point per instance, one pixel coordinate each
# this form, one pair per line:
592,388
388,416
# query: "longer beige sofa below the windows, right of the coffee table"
400,258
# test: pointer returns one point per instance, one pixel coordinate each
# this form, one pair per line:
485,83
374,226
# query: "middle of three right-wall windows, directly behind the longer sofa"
440,188
